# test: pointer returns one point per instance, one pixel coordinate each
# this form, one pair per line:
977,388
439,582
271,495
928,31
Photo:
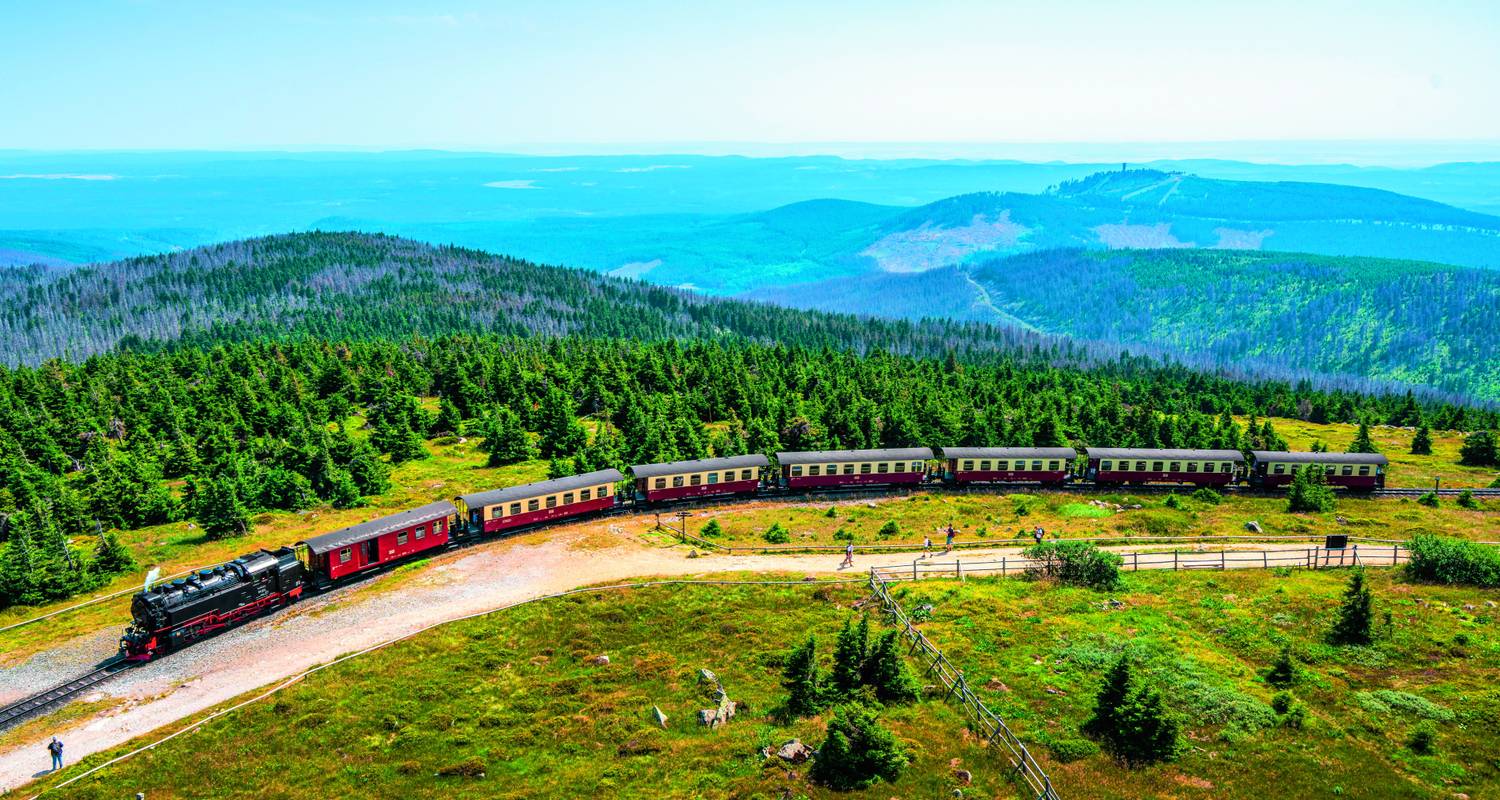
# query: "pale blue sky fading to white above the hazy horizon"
586,74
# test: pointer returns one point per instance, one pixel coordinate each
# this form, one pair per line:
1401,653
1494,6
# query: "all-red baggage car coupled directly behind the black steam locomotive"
368,546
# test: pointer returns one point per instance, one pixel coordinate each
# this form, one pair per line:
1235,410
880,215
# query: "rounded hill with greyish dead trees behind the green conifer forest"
344,286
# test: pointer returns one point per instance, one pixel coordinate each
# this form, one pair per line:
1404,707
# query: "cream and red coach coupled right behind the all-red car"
535,504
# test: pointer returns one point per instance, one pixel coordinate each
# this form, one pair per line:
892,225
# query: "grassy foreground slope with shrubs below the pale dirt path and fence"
515,696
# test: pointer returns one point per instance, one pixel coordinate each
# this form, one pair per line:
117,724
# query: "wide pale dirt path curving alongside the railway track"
323,628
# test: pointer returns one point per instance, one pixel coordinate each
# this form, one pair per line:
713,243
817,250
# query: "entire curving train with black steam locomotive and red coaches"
175,615
